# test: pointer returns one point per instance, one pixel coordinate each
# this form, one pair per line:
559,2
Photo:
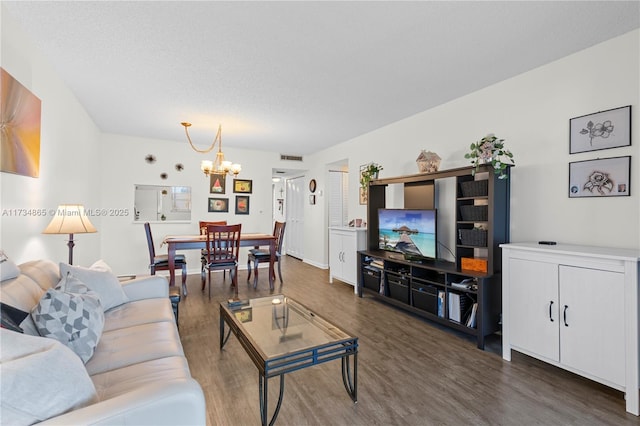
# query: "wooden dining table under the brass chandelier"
198,241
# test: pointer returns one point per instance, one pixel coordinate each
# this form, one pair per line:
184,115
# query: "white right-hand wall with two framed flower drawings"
531,111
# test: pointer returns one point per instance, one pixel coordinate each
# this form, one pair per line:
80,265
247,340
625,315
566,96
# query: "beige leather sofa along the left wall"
138,373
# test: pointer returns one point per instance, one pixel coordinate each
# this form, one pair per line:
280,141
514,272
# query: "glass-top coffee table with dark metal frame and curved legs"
281,335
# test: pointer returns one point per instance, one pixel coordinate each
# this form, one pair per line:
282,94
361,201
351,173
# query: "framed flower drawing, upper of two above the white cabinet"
600,130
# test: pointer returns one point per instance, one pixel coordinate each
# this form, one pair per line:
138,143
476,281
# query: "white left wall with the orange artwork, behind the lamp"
68,156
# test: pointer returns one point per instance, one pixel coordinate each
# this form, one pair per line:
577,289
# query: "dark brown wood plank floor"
410,371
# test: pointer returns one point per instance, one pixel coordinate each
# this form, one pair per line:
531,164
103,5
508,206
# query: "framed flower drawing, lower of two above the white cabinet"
606,177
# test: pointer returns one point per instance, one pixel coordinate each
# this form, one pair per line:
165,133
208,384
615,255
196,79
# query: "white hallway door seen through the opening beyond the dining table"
295,217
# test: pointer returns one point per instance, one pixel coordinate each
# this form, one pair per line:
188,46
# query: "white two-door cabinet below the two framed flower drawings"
574,307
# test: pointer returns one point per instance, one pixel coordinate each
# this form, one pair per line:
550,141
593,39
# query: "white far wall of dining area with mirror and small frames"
124,245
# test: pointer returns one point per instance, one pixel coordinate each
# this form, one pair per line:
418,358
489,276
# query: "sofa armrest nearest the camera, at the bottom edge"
175,402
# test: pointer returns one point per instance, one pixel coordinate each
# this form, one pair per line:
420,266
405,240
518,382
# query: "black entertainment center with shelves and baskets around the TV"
464,294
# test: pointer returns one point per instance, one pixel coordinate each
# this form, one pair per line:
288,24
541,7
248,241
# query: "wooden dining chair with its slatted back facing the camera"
223,247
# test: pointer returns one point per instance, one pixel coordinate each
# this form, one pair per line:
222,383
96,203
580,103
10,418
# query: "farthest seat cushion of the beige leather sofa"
138,312
